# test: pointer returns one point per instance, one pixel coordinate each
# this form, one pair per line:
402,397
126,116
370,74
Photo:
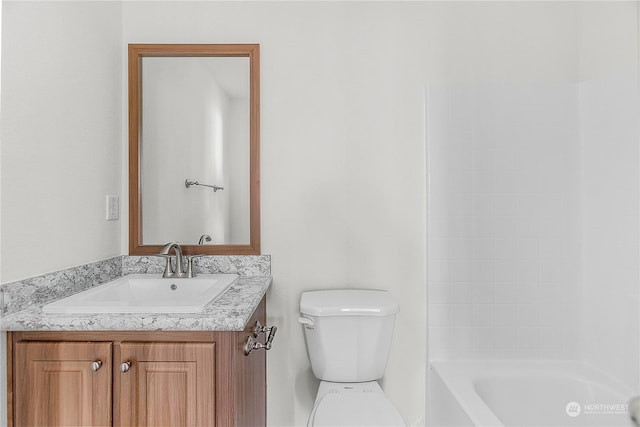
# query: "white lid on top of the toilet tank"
348,302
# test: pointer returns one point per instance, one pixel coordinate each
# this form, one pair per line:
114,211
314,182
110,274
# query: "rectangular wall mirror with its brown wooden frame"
194,148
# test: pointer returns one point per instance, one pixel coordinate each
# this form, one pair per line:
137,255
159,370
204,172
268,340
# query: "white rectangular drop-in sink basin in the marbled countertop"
146,293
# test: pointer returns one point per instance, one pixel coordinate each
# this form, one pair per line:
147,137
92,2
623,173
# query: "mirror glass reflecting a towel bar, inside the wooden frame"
195,150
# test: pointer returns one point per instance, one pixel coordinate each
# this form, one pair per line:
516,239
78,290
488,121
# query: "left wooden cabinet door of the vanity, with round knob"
57,384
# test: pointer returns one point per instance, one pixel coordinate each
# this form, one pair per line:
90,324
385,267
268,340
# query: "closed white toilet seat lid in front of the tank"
359,407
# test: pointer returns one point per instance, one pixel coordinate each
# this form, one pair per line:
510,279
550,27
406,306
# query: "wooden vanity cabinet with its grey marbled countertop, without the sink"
139,369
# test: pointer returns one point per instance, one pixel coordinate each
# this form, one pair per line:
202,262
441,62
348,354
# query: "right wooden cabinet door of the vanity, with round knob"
167,384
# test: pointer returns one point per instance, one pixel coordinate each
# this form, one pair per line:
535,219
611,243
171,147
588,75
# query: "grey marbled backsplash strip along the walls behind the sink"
16,296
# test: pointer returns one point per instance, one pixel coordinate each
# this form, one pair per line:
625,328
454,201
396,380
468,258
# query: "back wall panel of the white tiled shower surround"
502,224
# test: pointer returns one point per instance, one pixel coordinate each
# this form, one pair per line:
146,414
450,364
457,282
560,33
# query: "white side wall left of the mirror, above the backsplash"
61,134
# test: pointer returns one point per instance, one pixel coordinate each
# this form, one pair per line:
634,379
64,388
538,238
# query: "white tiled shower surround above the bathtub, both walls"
533,222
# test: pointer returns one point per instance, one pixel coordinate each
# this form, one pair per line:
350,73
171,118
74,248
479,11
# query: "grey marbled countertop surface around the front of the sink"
230,312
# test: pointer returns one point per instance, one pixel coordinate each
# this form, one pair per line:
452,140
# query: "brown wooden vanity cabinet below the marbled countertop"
136,378
